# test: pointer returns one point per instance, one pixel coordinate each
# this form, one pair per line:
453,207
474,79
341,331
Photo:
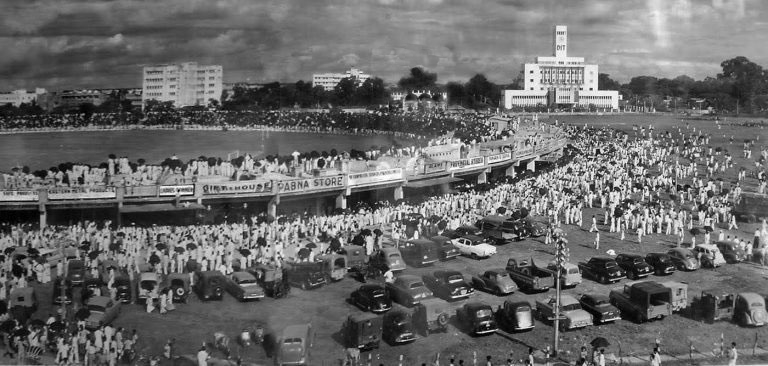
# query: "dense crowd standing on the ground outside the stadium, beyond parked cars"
649,183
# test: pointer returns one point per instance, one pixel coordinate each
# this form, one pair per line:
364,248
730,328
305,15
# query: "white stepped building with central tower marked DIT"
559,80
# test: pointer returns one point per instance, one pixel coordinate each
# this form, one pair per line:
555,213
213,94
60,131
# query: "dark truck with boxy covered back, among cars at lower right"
643,301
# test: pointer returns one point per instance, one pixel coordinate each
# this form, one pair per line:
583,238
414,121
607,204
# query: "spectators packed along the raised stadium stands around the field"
121,171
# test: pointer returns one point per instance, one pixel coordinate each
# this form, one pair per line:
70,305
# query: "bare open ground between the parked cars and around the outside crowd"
326,308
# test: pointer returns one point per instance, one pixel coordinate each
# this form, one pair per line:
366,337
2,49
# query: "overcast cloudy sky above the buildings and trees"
99,43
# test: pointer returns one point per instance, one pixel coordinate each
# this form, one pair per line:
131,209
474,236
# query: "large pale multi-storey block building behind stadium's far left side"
185,84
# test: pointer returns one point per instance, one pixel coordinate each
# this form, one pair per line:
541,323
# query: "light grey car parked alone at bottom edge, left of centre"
294,344
